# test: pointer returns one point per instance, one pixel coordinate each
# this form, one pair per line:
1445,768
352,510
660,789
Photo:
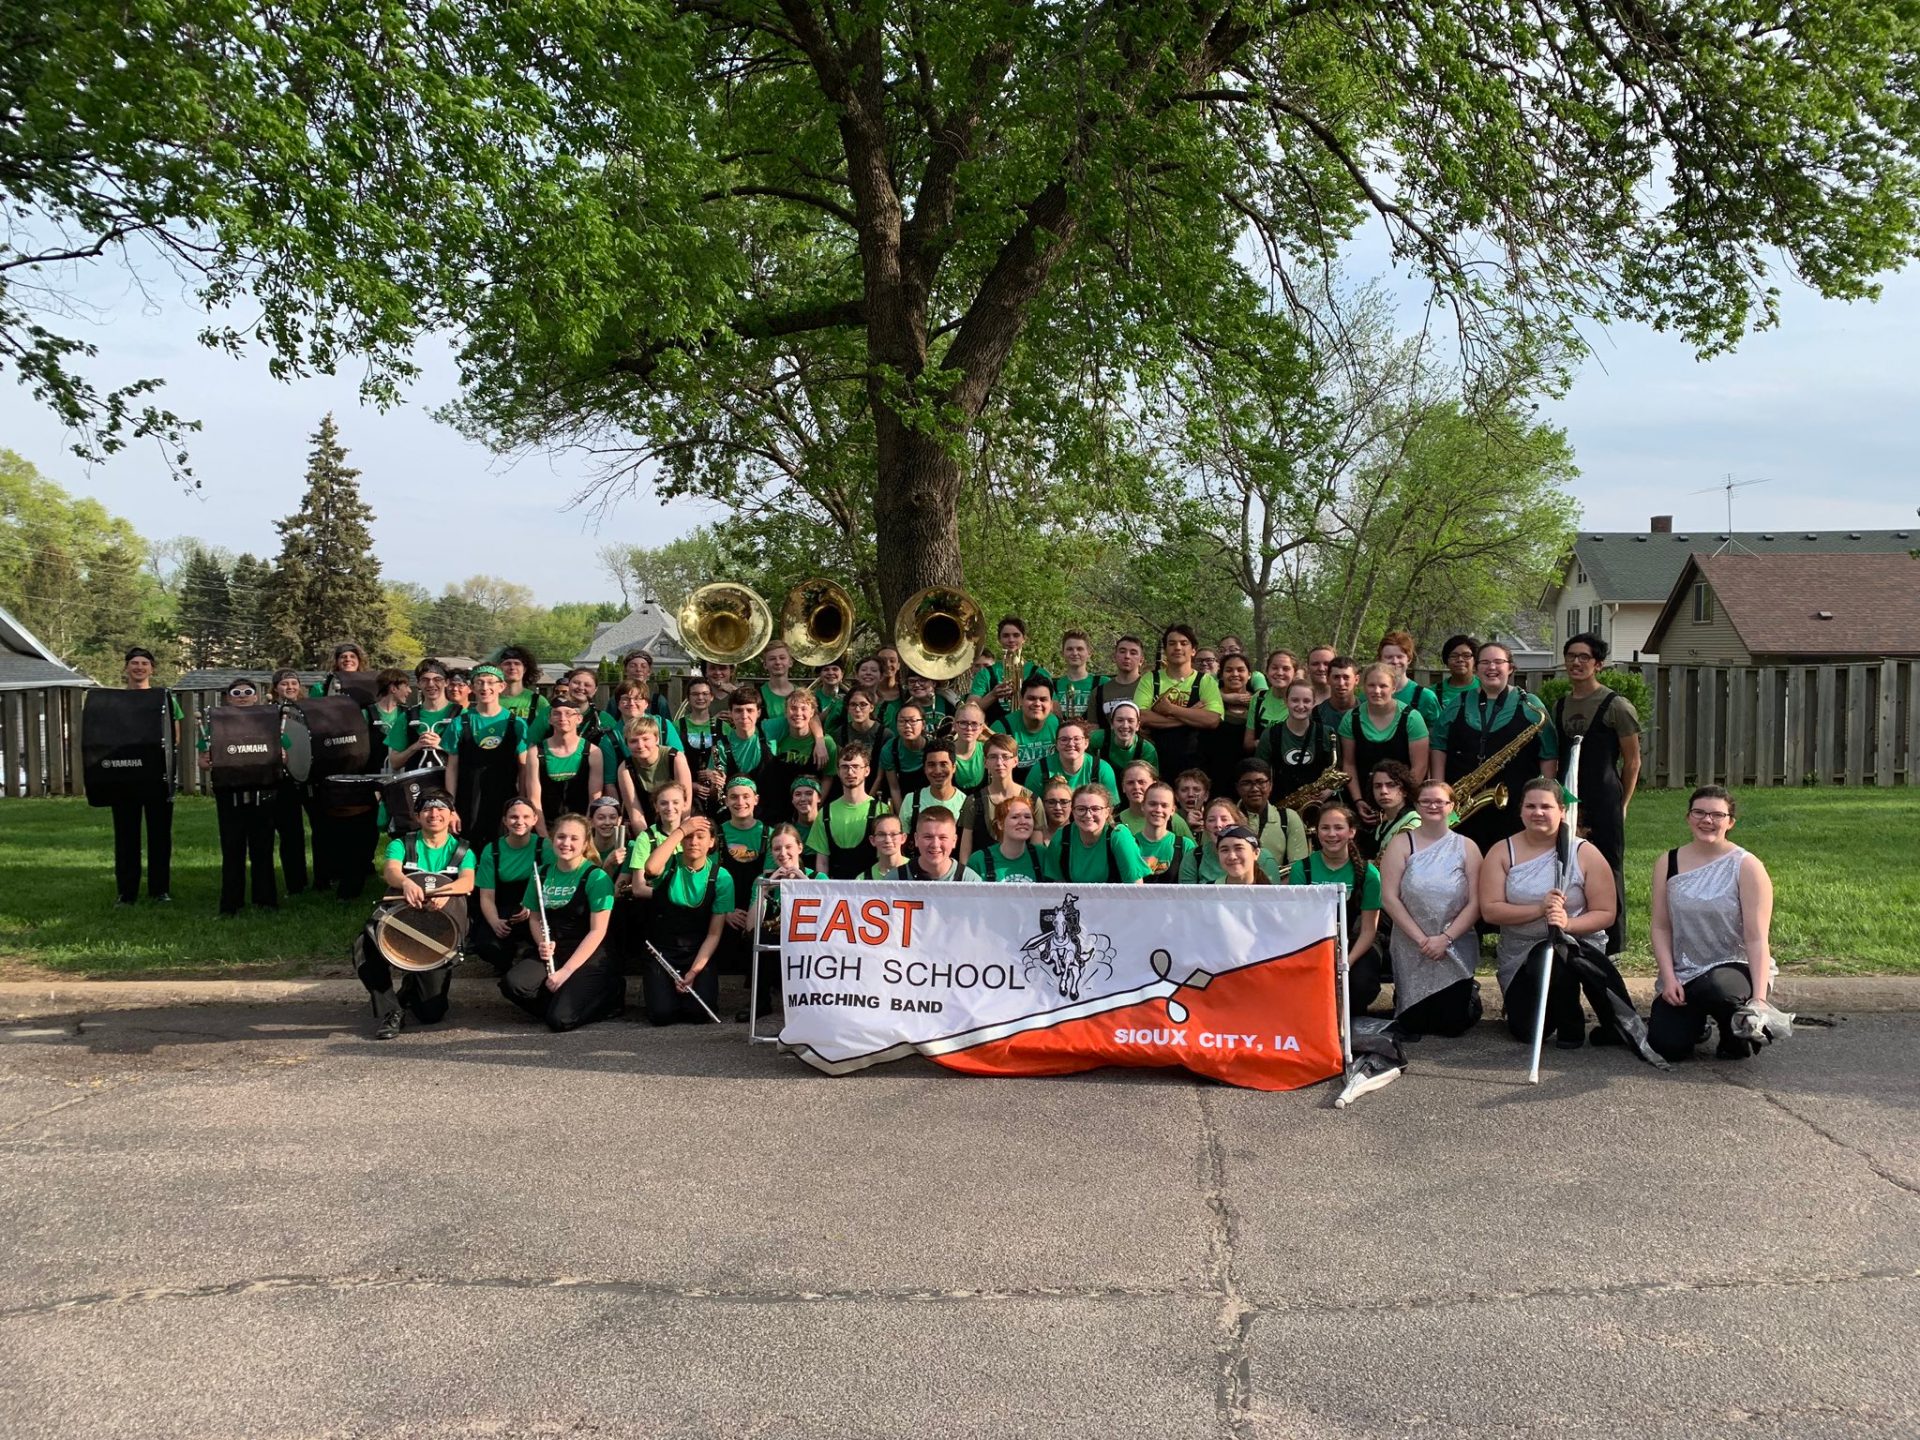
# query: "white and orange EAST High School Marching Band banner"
1047,980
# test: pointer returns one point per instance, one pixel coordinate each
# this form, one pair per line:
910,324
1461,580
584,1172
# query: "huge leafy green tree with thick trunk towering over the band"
636,210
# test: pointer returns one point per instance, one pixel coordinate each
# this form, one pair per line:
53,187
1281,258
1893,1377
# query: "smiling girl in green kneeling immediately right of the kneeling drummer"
575,978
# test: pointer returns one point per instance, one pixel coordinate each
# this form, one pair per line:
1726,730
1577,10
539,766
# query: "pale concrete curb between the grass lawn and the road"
66,997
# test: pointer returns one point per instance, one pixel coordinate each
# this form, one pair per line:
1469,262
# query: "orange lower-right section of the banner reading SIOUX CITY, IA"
1270,1026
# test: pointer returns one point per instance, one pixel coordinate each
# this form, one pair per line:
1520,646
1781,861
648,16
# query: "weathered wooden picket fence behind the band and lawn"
1802,725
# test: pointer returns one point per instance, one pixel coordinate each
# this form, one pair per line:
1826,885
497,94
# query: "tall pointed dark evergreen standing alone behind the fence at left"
327,581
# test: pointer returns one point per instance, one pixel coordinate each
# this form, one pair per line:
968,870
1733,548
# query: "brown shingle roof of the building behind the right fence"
1812,606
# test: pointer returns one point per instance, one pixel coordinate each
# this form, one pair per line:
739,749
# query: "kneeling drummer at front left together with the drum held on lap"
421,923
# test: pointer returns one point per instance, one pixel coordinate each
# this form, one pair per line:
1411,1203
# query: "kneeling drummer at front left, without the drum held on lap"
423,873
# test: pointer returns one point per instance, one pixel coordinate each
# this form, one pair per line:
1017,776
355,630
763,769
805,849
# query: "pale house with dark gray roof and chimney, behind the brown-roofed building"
1618,583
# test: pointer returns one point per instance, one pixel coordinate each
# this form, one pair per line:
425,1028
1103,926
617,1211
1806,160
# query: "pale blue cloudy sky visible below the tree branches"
1821,410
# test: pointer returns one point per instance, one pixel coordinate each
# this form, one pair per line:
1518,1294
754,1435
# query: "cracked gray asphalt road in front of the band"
254,1222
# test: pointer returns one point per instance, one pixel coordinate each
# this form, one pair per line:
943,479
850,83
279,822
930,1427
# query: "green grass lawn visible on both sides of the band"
1846,875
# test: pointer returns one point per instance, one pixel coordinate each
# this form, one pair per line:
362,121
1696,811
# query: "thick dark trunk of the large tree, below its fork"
917,514
